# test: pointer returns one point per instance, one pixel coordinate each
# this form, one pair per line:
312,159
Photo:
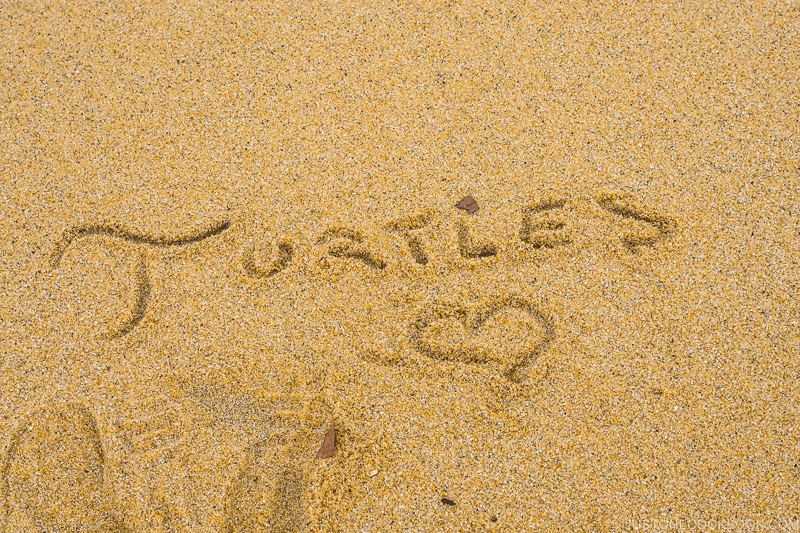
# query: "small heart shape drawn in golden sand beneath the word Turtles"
510,331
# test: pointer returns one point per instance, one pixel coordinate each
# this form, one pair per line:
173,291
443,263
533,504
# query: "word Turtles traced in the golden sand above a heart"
543,225
